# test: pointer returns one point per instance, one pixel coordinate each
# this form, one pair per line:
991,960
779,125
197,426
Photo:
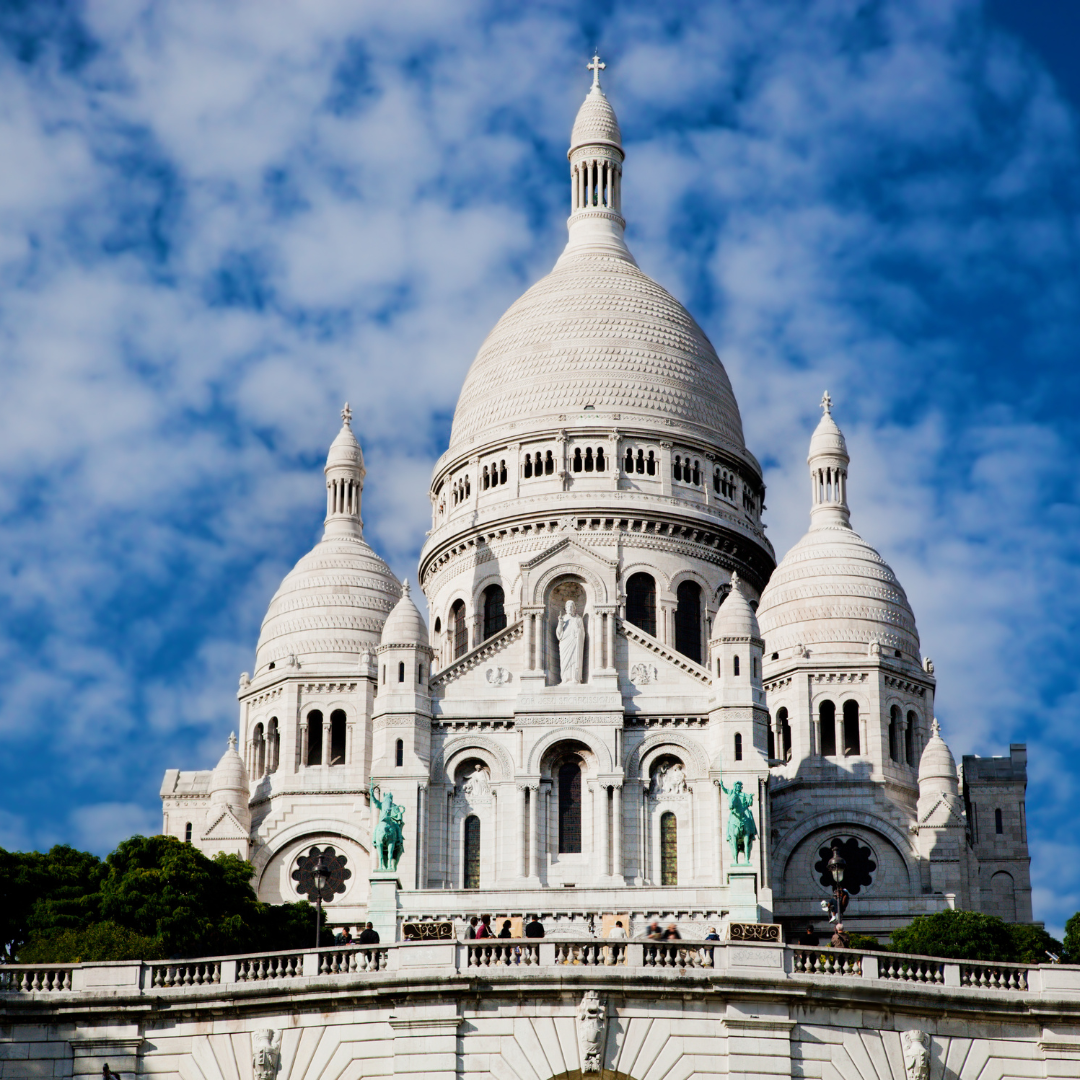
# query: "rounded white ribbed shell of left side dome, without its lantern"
331,607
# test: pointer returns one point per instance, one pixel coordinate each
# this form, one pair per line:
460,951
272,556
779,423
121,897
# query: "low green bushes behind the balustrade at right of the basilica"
970,936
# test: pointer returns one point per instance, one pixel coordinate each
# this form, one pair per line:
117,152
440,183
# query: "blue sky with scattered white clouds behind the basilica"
220,222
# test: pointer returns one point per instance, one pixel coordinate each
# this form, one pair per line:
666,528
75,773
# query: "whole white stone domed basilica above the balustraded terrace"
620,707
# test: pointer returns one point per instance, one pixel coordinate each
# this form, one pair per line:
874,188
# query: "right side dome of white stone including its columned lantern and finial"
833,592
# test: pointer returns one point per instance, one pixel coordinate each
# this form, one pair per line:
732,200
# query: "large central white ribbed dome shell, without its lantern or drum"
597,332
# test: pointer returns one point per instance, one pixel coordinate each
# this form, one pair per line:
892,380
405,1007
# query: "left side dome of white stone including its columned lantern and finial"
332,606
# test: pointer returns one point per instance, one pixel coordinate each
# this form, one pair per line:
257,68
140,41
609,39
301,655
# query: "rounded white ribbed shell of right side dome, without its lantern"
835,595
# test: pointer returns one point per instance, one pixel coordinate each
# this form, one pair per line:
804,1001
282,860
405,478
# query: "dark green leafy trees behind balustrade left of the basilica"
154,898
